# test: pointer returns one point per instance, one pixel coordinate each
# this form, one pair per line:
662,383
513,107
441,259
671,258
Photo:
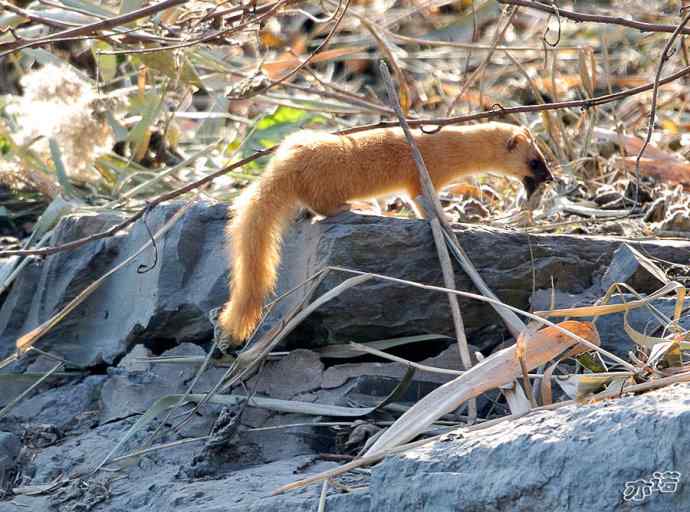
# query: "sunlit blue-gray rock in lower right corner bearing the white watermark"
575,458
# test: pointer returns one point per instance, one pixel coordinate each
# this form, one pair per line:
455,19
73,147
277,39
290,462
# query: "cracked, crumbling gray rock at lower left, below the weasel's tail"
67,429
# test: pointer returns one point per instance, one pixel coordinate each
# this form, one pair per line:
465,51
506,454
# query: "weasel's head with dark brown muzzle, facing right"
524,160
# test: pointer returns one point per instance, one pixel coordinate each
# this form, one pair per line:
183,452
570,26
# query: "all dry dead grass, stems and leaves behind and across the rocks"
124,106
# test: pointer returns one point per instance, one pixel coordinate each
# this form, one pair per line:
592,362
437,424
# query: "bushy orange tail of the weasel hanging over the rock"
261,214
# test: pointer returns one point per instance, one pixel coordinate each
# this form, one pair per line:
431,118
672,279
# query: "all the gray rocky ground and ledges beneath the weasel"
50,442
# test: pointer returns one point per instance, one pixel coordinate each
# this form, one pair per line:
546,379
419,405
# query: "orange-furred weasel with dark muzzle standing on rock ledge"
323,172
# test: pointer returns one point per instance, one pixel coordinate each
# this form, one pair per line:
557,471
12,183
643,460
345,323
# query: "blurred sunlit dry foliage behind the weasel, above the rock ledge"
102,107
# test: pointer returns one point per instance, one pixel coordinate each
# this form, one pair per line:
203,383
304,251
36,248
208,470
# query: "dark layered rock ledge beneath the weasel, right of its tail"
509,262
